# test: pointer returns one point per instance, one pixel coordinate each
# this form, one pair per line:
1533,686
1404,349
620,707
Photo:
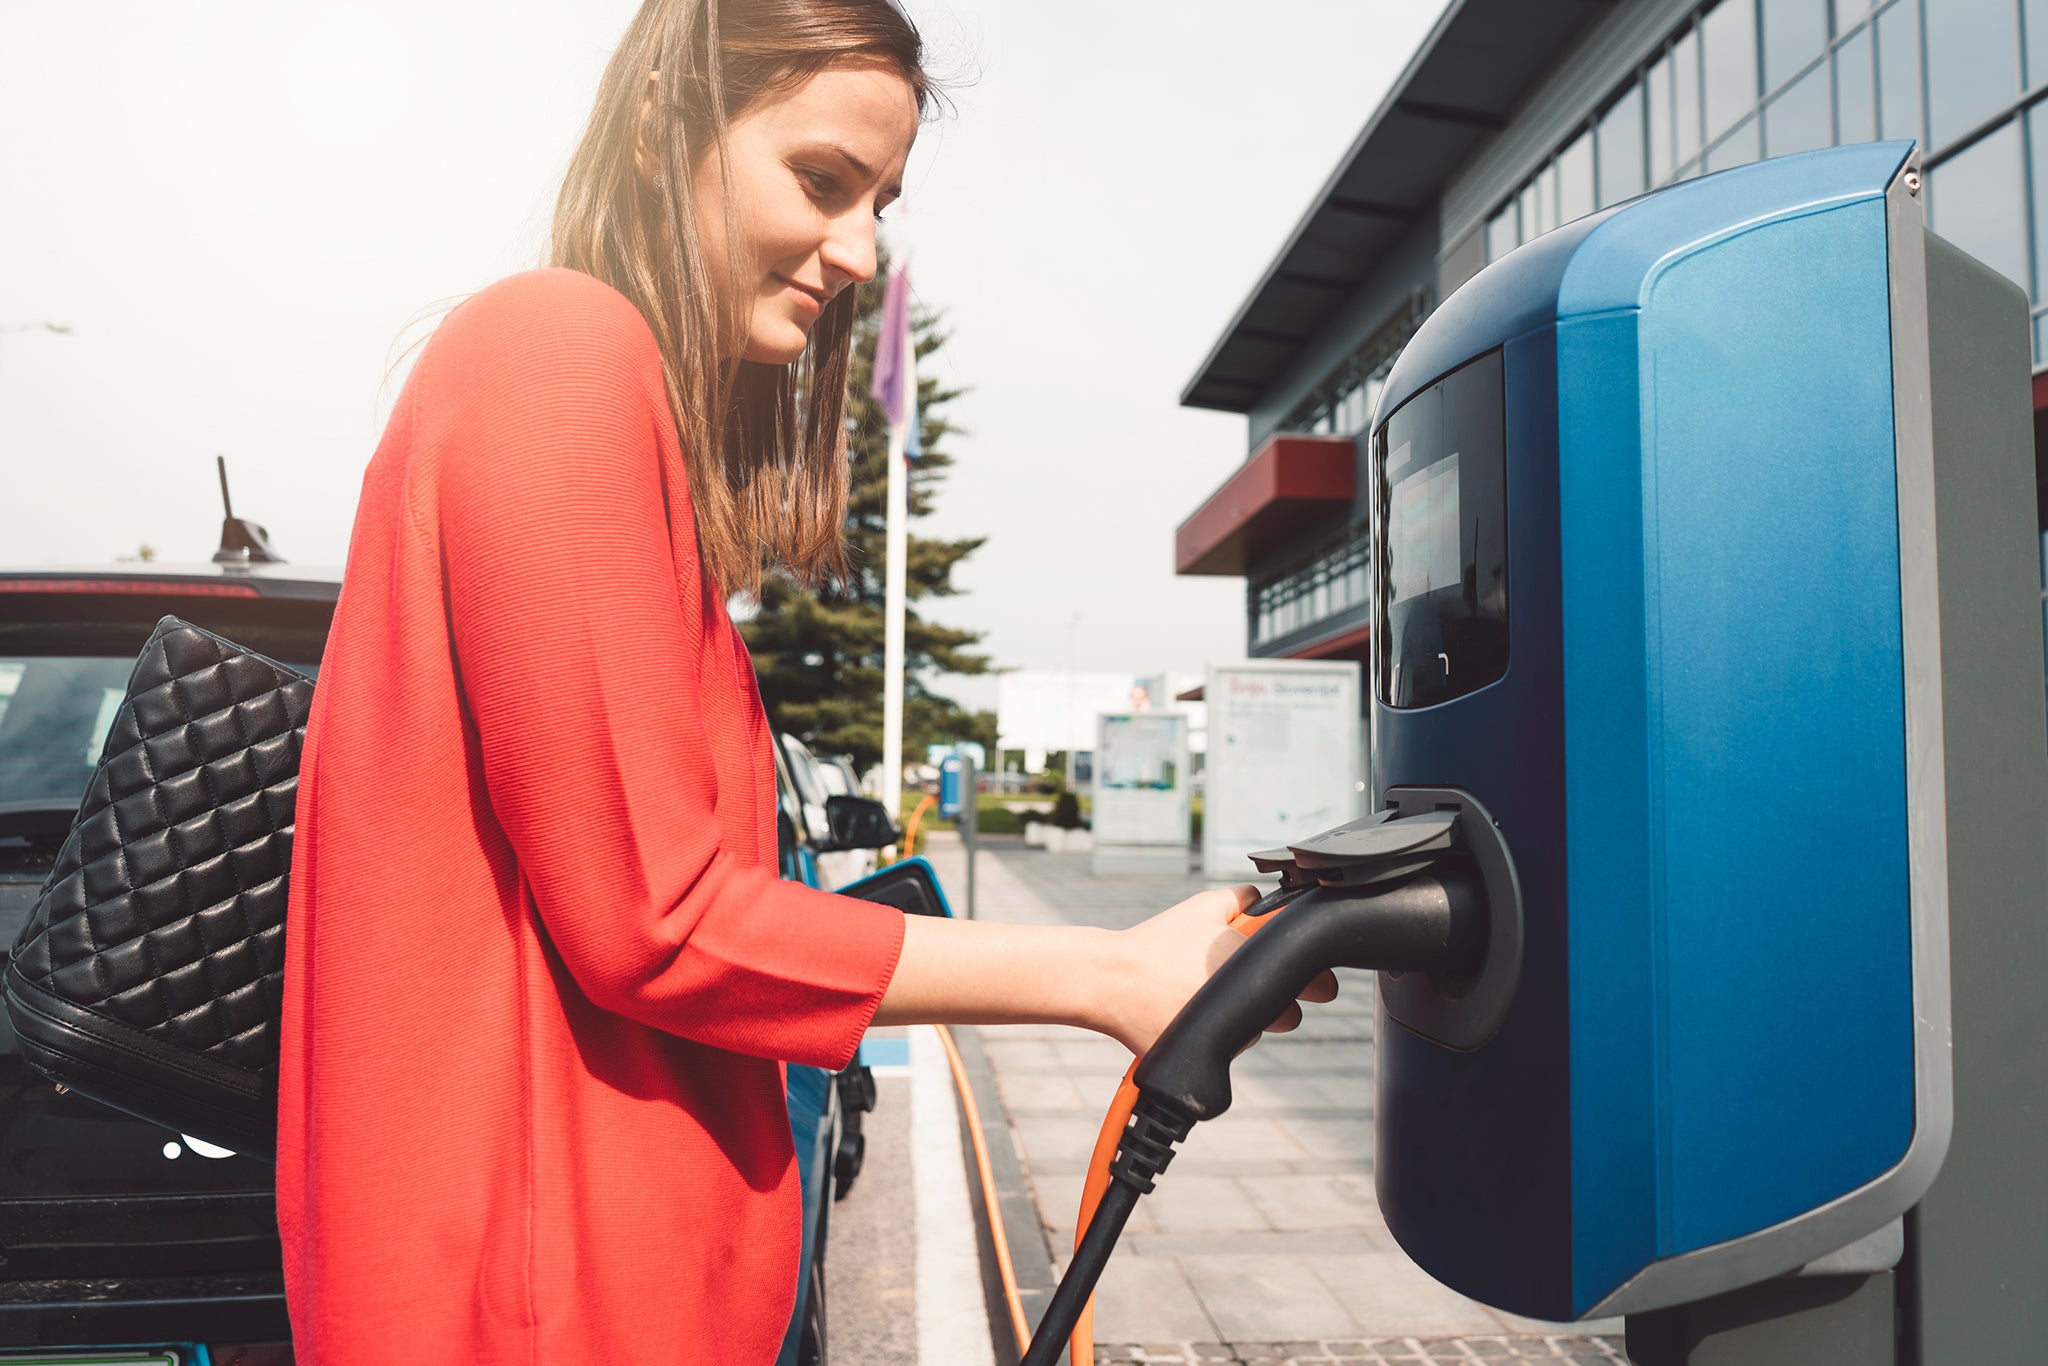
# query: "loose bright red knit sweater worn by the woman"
540,962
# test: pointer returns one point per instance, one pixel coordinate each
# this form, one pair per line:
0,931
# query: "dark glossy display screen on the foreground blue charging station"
1445,540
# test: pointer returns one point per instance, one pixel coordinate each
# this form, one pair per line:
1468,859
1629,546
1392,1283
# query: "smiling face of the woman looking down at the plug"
810,171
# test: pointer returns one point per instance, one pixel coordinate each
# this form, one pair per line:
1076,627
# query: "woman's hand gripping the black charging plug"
1172,955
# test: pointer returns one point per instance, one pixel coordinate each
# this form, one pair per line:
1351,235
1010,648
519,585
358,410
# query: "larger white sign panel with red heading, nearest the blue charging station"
1287,757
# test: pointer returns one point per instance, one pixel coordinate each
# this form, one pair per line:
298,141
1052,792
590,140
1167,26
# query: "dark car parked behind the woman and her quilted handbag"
114,1232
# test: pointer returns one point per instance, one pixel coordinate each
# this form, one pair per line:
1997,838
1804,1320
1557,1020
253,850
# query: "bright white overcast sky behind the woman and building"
241,206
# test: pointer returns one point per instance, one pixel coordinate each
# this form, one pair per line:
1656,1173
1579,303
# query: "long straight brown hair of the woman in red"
765,443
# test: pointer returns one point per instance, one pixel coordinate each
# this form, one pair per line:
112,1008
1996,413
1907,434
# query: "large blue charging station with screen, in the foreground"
1672,515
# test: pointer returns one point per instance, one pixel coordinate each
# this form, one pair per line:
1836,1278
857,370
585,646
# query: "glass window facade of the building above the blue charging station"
1740,81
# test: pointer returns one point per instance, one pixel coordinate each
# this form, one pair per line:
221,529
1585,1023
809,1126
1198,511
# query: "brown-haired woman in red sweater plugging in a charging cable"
542,970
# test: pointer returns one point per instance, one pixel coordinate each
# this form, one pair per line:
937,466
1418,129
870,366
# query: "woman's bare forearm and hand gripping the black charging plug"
1125,984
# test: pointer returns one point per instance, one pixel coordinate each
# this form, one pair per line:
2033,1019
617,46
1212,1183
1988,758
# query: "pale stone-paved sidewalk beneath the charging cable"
1265,1242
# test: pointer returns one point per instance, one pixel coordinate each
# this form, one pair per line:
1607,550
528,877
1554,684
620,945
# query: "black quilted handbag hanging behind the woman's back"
153,970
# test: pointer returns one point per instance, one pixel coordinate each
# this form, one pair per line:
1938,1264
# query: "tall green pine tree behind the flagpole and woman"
820,654
